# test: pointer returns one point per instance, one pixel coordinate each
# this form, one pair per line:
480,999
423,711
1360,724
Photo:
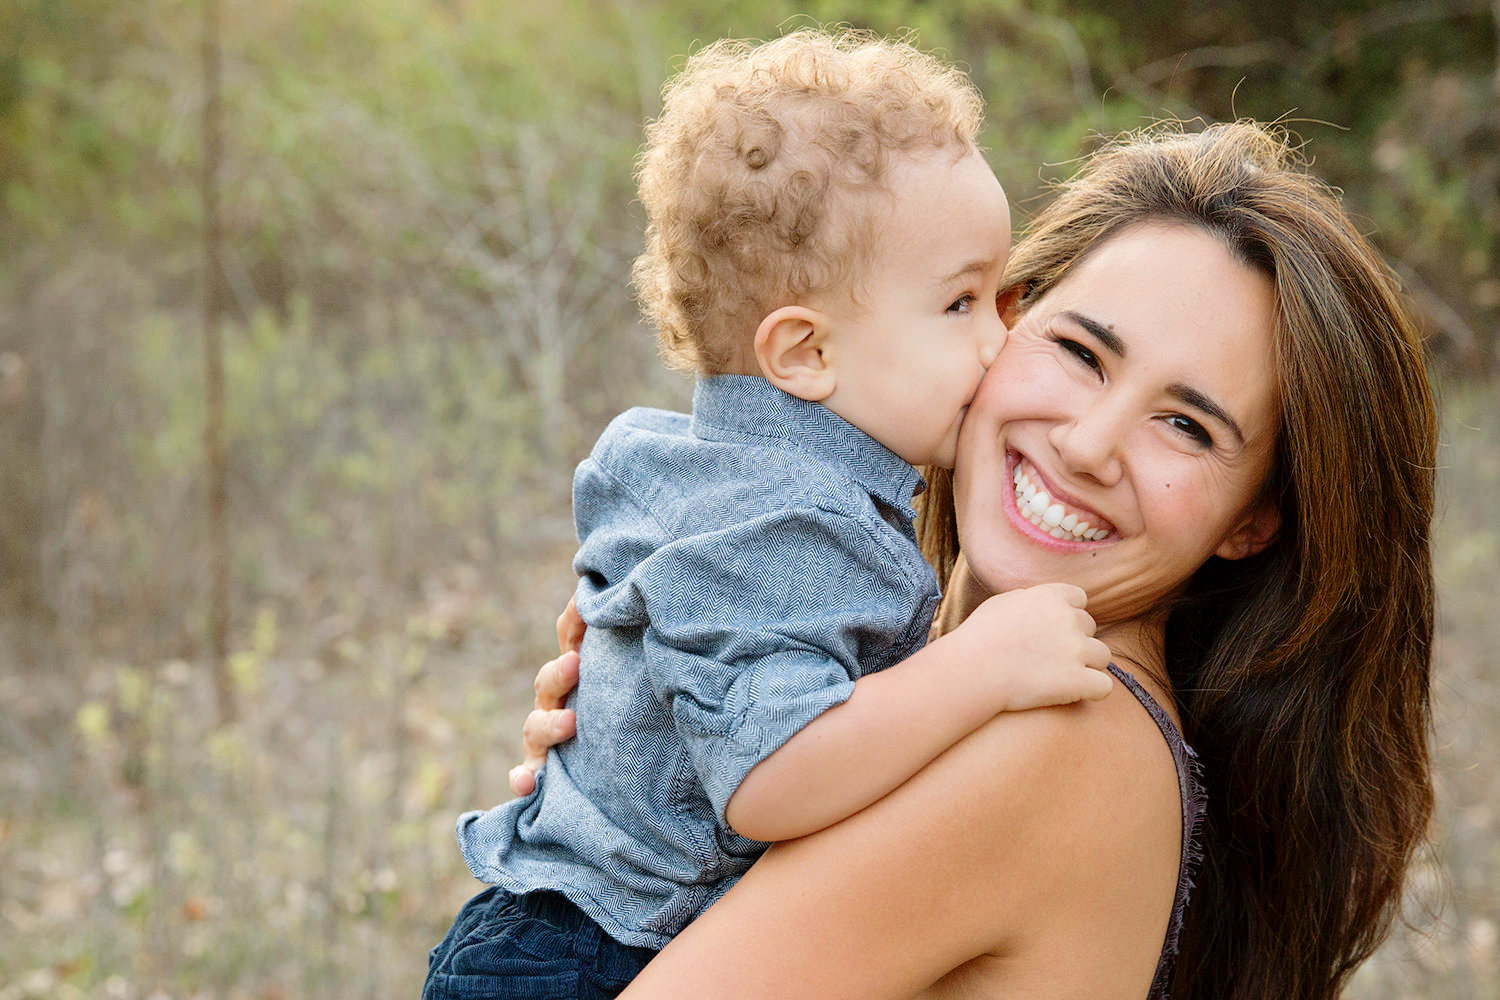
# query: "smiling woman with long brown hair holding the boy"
1207,358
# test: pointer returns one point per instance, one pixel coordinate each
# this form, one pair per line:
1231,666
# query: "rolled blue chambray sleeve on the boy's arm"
758,629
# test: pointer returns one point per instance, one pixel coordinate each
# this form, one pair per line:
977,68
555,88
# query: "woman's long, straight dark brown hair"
1303,672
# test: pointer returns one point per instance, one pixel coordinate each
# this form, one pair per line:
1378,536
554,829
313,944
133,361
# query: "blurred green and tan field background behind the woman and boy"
427,227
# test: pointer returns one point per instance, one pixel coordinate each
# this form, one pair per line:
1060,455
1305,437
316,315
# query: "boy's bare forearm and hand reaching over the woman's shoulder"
1022,650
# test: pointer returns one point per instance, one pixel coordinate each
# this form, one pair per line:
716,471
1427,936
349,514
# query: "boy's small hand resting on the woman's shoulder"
1036,647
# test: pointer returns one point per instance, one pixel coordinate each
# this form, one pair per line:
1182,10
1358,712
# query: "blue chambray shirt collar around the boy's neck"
751,406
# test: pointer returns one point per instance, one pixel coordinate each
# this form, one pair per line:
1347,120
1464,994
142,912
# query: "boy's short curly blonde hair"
754,173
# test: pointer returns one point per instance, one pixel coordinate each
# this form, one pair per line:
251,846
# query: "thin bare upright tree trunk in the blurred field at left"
214,368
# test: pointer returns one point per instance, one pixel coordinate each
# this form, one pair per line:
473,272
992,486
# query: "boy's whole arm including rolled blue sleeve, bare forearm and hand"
755,639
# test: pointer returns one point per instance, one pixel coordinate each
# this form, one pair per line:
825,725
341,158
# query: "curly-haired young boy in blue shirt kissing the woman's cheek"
824,253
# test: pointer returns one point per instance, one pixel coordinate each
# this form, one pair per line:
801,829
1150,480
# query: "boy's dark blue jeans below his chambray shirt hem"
535,947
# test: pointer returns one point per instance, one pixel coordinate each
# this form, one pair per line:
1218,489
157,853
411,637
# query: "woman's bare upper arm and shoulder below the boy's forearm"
1039,855
